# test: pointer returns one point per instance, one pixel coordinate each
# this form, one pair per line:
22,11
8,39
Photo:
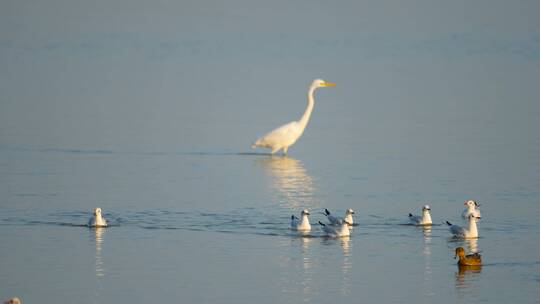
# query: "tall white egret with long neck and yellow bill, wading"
286,135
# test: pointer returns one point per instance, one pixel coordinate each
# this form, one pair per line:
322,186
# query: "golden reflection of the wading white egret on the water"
290,180
